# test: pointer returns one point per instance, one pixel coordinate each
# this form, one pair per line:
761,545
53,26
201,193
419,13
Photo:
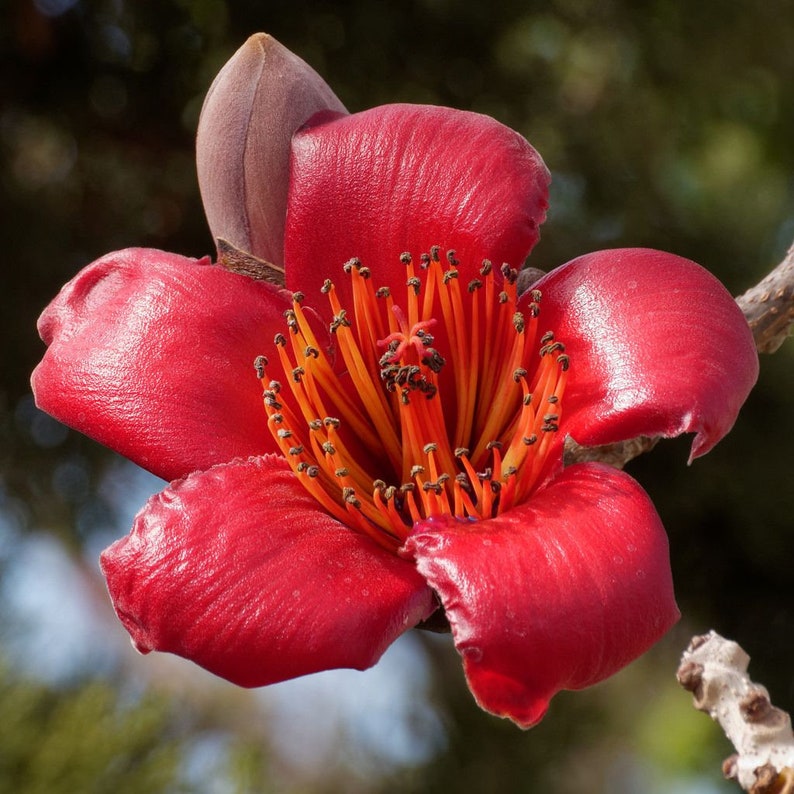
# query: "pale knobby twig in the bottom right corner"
714,670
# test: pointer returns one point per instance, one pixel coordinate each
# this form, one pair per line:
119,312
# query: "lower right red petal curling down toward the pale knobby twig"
559,593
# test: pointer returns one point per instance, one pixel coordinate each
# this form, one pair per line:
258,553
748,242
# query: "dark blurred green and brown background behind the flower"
664,123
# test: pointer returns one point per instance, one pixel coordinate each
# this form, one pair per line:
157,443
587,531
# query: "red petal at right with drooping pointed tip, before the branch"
658,347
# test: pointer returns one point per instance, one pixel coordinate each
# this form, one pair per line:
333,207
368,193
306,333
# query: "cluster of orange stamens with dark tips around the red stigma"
400,432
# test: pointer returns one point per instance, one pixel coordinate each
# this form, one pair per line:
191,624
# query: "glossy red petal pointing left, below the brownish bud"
152,354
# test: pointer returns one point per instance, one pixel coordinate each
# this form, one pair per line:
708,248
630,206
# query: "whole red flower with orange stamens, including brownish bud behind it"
405,466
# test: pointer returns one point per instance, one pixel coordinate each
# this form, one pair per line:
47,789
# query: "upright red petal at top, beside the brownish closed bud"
404,178
